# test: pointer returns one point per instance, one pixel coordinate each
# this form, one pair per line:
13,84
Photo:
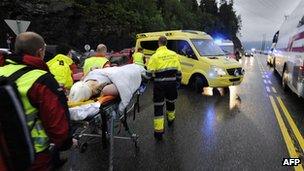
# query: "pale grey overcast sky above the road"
262,17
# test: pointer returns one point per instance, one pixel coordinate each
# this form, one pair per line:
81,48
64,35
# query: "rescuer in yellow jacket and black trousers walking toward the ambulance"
165,68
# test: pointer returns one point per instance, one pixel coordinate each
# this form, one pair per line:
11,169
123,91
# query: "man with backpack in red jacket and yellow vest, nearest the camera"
44,103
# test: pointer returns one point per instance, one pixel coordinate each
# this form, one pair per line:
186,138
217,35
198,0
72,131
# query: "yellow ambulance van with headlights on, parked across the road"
203,62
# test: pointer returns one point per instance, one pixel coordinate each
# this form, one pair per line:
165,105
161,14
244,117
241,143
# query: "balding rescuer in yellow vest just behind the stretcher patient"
99,60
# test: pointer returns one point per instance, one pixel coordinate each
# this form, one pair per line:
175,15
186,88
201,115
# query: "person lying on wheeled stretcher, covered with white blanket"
123,81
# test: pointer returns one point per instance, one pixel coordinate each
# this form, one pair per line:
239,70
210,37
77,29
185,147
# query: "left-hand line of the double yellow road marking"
290,147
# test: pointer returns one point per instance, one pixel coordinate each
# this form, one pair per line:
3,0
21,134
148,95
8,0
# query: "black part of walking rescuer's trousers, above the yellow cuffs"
164,93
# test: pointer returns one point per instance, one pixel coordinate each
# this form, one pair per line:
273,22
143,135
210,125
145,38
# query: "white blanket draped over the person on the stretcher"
126,78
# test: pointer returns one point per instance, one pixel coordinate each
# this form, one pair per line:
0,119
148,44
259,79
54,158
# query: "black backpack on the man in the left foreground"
16,147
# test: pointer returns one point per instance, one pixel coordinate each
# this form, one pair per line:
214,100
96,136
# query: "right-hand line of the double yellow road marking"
292,123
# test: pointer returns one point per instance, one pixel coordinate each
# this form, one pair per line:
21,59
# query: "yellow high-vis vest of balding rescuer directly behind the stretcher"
94,63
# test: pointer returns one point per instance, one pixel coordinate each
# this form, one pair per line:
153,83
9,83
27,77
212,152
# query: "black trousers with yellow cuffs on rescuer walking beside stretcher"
164,93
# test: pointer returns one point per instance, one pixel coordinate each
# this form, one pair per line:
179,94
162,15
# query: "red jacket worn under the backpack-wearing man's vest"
51,102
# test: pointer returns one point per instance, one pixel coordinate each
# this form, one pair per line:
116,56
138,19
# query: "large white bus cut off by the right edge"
289,54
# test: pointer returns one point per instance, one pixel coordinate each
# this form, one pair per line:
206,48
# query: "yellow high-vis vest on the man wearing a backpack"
24,83
